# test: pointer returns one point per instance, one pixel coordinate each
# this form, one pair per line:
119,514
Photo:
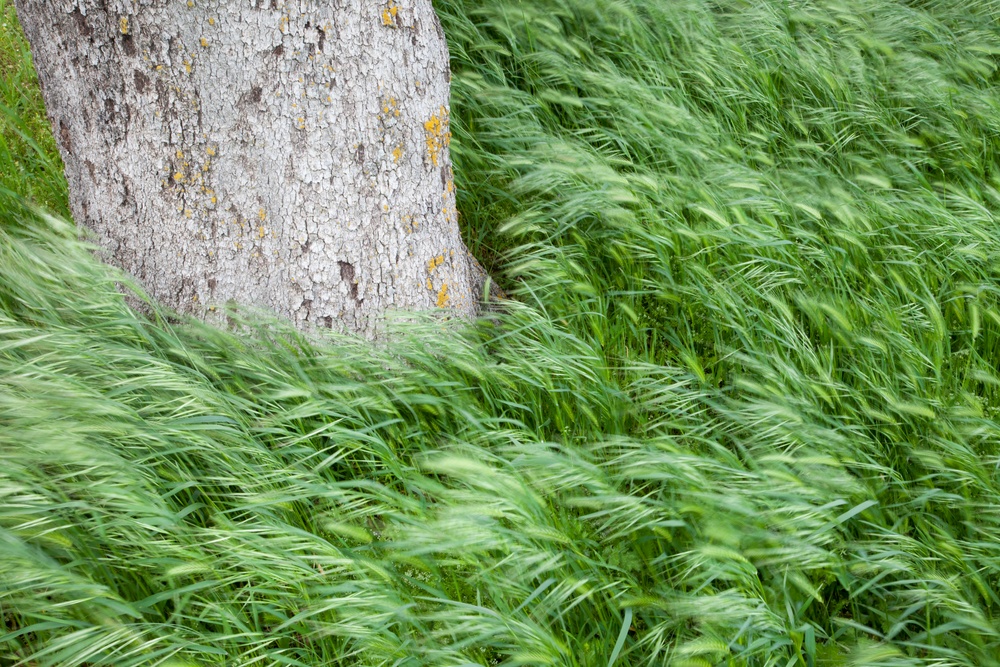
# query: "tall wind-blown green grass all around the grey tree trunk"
743,411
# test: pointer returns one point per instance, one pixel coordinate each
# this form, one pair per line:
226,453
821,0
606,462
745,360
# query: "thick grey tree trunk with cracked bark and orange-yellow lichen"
286,154
